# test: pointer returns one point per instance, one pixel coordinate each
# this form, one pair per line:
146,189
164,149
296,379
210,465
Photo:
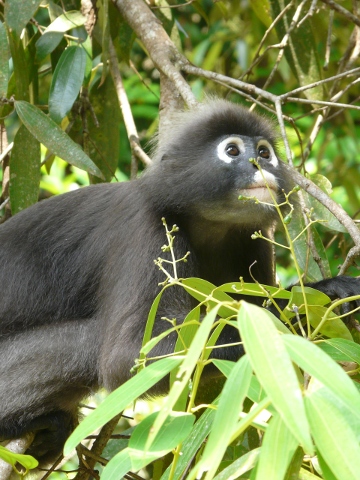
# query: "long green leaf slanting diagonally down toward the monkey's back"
50,134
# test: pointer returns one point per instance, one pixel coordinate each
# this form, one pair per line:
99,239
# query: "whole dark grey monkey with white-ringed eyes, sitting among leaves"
78,276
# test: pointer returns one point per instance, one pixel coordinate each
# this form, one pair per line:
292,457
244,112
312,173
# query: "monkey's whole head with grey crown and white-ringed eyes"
212,155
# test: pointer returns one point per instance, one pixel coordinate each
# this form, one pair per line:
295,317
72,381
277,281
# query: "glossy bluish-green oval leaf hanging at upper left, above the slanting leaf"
66,82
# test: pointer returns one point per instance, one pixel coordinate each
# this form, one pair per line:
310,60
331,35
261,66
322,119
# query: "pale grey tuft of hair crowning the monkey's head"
209,121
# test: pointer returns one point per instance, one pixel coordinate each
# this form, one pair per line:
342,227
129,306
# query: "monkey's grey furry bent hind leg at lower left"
44,373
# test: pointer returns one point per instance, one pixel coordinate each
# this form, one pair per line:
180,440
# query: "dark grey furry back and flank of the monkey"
57,250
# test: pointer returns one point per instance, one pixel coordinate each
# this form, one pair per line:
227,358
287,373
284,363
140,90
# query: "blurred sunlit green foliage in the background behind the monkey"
64,70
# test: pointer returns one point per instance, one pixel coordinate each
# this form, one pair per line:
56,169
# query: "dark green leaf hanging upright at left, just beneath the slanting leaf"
24,170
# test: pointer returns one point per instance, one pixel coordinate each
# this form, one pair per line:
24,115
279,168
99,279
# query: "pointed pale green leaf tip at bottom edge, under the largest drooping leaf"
277,450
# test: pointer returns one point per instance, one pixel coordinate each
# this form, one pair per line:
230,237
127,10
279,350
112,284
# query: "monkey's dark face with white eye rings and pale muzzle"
245,180
